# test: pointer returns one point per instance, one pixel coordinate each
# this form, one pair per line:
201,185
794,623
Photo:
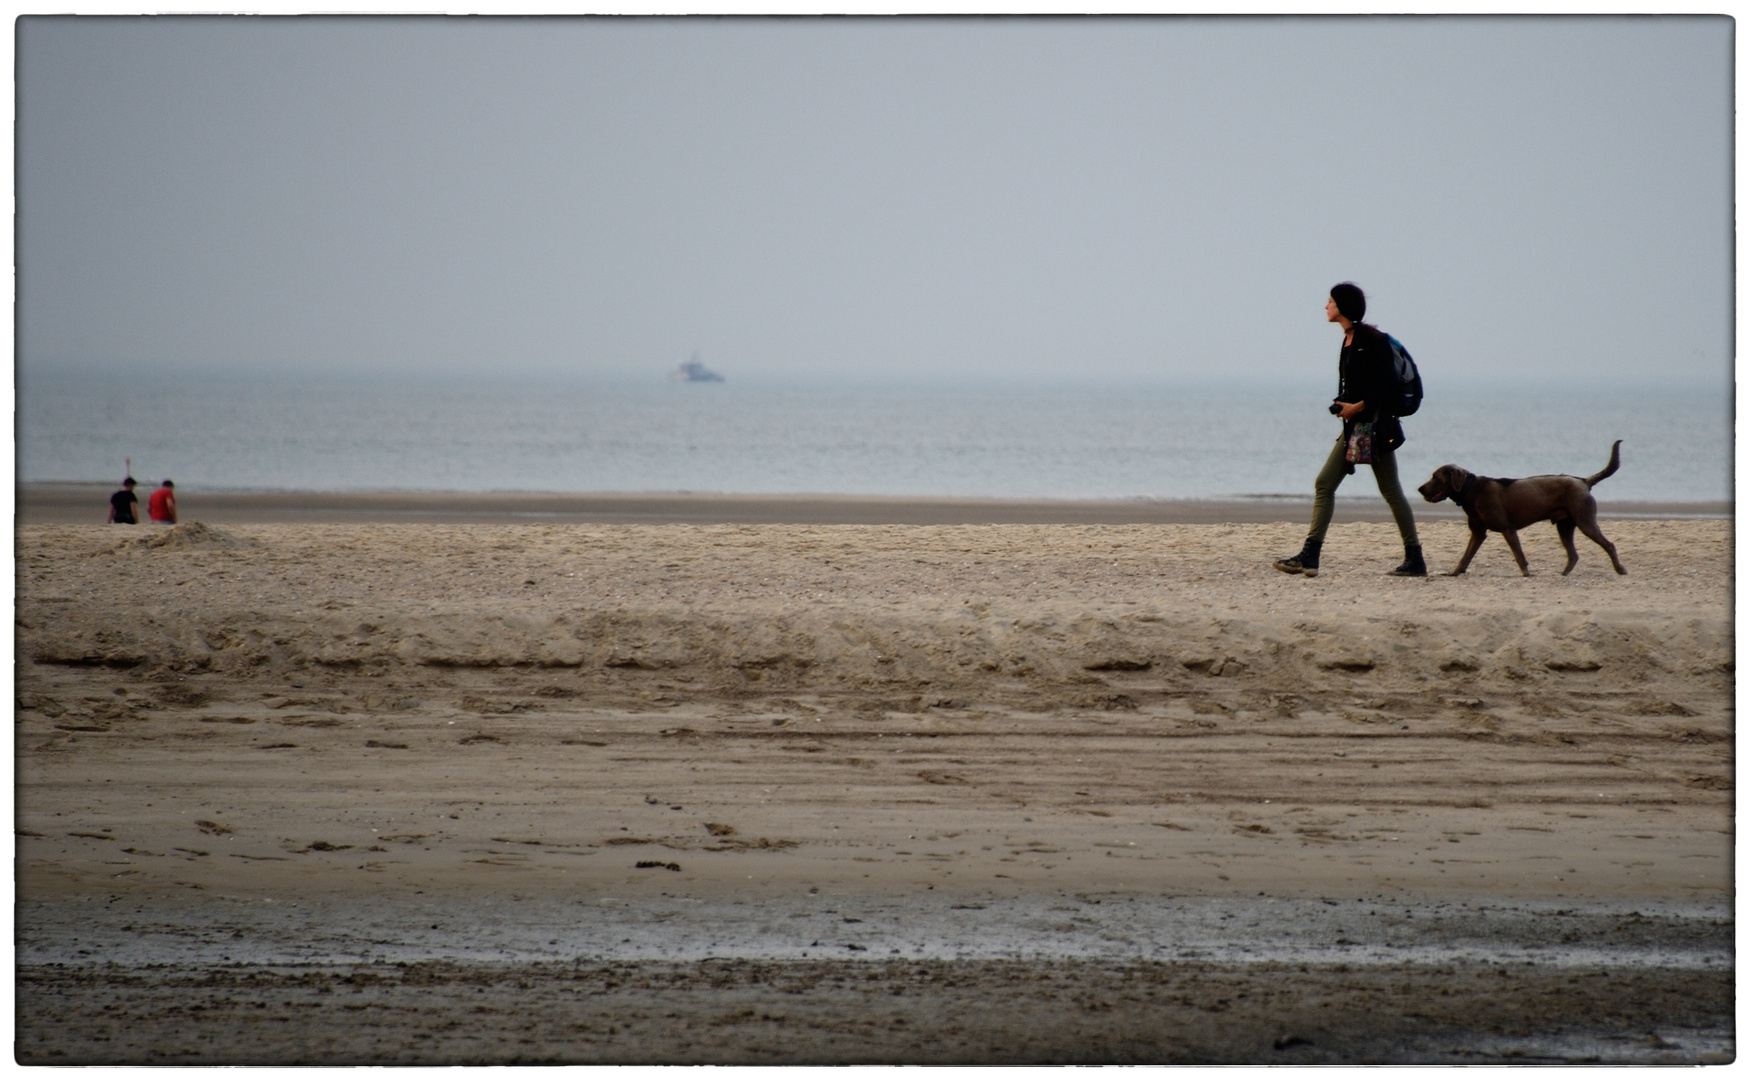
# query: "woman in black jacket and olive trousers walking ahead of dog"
1369,433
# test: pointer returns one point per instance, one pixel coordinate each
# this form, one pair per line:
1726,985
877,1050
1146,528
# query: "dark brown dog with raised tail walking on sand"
1511,505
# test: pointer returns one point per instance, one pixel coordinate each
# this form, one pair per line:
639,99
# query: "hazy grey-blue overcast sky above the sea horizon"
1107,199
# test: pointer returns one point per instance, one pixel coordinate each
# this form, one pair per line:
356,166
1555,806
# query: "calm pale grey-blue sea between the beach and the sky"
1152,440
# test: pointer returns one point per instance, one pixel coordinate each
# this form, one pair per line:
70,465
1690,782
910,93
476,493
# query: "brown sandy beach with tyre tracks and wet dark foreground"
869,792
